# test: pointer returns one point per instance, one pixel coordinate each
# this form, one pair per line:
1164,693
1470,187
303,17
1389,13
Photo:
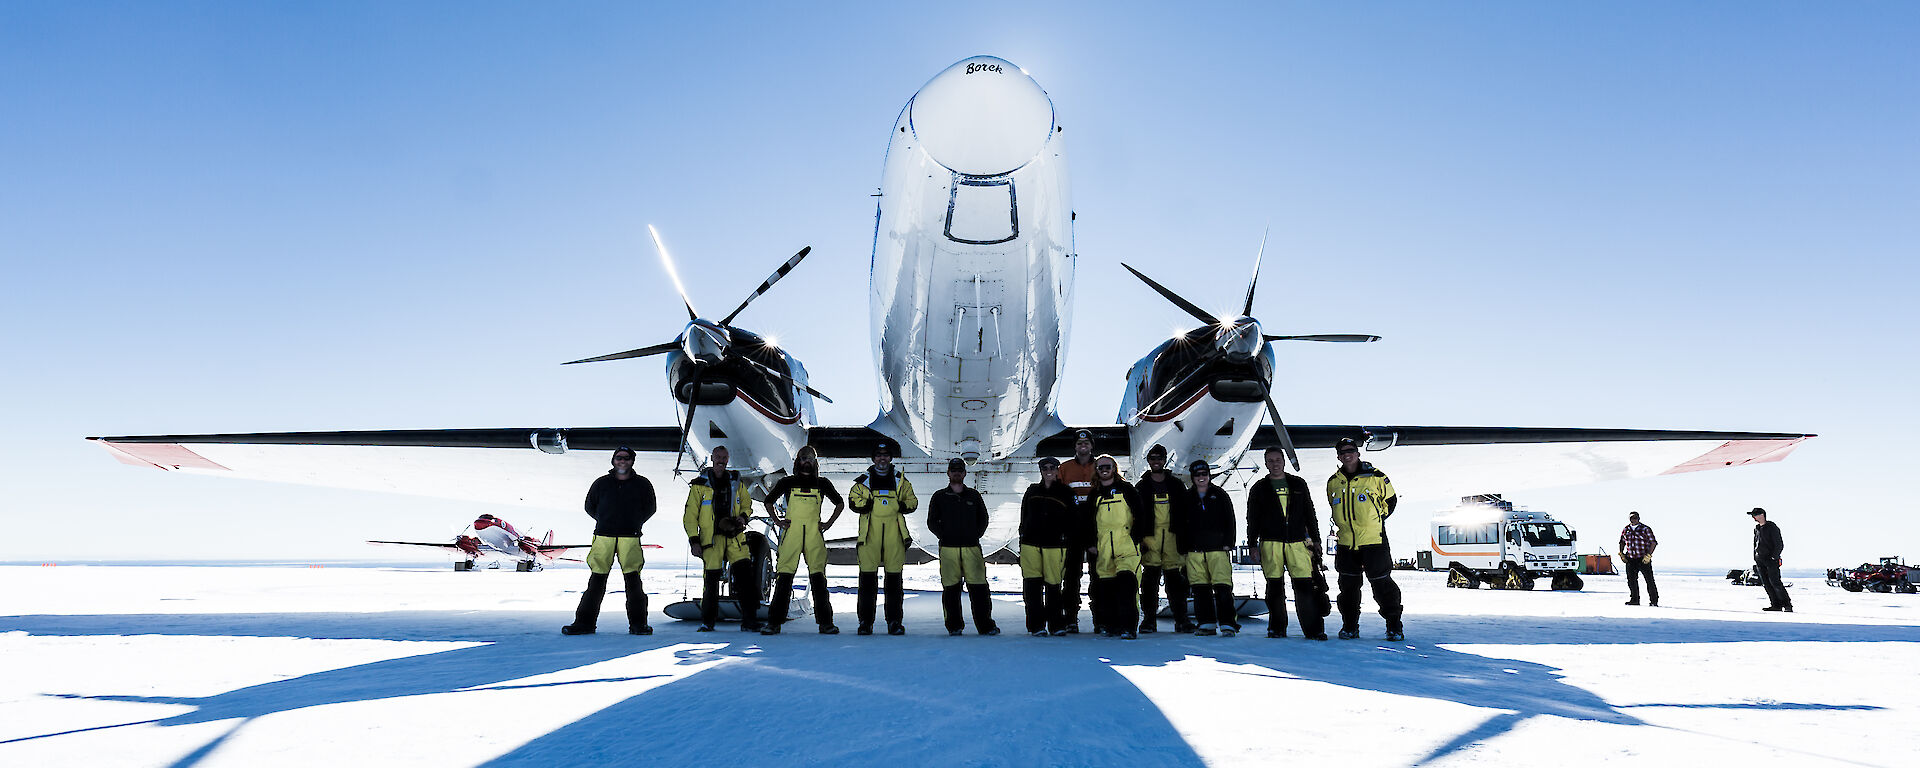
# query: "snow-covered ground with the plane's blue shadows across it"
425,667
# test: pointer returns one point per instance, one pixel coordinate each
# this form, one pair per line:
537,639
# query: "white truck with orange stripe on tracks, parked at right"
1485,540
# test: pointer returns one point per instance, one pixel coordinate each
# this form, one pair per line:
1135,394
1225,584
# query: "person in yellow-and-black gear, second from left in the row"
717,529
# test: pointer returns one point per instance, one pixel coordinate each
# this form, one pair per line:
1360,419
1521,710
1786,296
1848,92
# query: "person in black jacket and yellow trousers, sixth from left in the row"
1045,517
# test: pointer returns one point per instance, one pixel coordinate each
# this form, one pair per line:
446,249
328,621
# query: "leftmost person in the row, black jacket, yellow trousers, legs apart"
619,502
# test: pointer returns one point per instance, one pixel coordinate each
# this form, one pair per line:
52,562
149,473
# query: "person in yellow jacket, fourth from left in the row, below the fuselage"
882,498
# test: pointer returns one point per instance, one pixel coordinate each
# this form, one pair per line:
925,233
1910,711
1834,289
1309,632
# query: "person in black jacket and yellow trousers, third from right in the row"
1205,531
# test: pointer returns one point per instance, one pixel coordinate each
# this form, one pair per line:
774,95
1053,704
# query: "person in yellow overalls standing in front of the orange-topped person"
1118,523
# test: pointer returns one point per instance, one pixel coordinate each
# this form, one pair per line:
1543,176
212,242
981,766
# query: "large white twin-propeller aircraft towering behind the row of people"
972,293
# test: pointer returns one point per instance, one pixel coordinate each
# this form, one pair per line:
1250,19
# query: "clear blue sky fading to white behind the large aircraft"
404,216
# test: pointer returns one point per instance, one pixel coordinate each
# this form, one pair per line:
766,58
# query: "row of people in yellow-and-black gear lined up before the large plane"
1084,521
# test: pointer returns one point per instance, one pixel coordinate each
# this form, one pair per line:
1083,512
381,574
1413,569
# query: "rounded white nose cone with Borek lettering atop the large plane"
982,118
